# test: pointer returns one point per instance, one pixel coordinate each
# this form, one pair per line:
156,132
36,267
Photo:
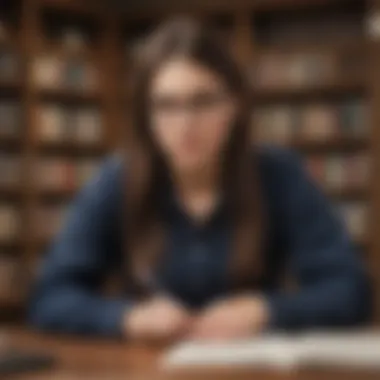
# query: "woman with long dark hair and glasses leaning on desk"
209,225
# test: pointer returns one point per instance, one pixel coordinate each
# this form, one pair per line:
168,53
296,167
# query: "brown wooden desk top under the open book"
89,359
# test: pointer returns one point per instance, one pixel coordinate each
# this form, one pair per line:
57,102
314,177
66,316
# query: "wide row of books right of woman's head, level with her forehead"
292,70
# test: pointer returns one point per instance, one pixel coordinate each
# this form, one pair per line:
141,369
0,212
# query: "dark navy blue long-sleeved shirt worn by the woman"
304,235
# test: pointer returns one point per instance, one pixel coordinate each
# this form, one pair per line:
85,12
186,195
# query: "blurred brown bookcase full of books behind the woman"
313,66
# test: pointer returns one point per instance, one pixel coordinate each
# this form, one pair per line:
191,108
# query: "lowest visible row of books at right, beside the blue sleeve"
355,216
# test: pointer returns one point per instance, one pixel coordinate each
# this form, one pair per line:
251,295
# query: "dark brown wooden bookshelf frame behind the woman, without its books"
246,23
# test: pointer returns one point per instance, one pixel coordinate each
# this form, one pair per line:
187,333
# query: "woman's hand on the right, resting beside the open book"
232,318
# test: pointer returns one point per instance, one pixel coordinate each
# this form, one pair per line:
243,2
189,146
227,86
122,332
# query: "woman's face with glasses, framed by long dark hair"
191,114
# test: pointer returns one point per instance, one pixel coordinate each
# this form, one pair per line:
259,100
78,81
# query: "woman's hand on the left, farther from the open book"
158,320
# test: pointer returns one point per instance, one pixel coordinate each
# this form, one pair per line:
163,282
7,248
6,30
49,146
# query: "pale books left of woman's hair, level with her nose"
60,123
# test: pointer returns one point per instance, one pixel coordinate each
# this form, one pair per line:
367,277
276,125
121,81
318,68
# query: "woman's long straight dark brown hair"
146,166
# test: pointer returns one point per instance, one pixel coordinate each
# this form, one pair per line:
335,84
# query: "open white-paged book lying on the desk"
348,350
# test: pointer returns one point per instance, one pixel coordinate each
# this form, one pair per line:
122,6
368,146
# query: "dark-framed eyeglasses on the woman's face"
201,104
